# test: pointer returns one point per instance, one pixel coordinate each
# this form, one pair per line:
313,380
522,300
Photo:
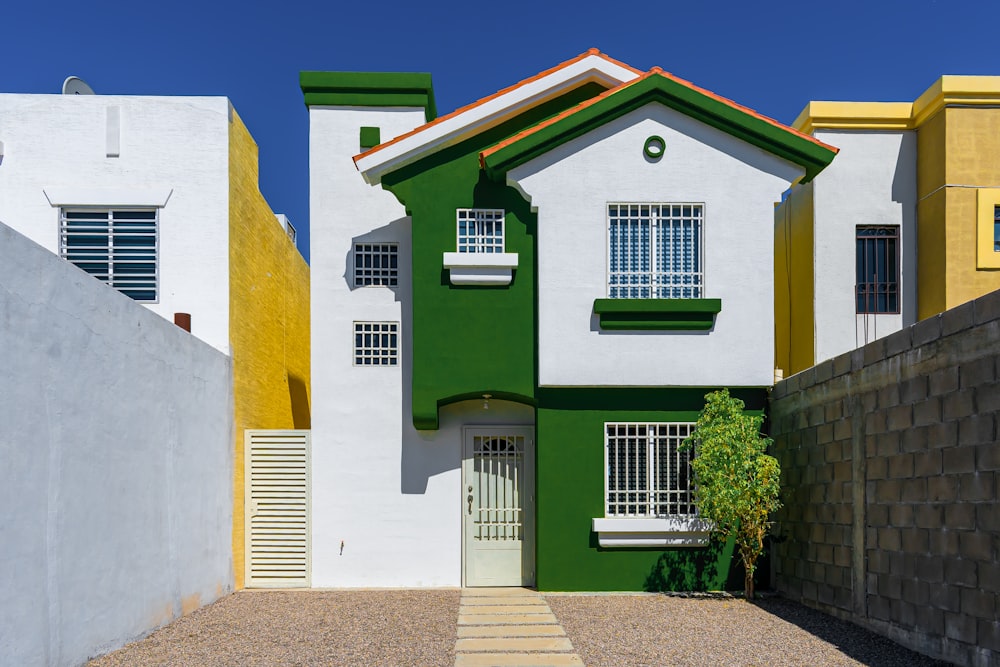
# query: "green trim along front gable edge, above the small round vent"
782,142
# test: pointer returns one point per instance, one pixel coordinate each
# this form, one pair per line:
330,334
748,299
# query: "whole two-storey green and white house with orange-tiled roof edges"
517,309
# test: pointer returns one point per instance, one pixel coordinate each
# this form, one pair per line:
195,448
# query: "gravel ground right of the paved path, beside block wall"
659,630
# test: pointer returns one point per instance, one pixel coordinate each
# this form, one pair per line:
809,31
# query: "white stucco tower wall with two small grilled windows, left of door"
392,496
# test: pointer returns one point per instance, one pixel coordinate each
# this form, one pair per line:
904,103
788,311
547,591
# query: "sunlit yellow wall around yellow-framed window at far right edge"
973,147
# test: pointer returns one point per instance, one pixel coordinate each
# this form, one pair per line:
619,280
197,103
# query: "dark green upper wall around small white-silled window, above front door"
470,340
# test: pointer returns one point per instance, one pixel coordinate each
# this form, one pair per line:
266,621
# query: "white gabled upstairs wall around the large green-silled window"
571,187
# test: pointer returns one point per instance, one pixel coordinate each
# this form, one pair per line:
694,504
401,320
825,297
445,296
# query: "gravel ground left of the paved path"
363,628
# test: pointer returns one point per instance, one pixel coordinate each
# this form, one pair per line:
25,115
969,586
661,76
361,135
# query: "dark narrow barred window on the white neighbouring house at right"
877,261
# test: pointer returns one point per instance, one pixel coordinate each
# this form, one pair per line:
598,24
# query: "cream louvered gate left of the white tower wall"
277,509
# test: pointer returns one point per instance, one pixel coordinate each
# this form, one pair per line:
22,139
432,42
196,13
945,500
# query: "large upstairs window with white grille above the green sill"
655,251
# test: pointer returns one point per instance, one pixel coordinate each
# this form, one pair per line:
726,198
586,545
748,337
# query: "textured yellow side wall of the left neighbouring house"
269,319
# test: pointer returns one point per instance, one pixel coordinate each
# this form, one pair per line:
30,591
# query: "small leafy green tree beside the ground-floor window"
737,483
